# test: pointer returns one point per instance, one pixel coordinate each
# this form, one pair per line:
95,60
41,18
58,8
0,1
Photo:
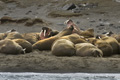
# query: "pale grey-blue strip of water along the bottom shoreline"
59,76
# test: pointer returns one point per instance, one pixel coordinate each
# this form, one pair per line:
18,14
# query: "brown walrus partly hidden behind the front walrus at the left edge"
24,44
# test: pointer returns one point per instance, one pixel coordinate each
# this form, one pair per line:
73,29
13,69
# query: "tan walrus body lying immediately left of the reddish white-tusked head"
31,37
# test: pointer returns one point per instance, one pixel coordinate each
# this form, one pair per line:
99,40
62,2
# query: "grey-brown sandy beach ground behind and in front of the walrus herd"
104,17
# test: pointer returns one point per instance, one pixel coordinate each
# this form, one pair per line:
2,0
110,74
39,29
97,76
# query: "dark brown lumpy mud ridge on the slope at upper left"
27,21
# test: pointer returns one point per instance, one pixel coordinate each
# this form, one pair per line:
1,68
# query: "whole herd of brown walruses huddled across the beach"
69,42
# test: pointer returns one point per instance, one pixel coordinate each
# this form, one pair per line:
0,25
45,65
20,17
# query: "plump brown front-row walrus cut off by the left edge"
8,46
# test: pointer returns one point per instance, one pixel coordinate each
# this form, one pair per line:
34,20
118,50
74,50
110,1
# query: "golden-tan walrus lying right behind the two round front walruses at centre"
75,38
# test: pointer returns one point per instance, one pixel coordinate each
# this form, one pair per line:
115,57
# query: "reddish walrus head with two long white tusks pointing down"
45,32
